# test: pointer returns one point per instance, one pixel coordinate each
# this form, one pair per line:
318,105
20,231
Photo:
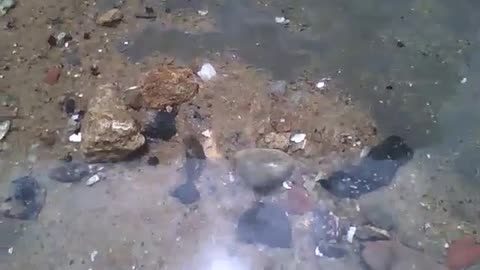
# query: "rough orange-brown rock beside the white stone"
168,85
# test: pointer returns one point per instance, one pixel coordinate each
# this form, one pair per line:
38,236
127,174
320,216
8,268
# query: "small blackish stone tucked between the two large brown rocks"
162,127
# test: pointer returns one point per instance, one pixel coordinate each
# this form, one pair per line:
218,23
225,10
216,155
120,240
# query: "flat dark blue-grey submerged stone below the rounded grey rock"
265,224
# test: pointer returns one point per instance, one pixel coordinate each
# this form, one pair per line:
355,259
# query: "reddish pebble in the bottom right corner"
463,253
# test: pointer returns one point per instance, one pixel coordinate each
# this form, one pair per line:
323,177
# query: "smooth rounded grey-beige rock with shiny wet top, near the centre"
263,169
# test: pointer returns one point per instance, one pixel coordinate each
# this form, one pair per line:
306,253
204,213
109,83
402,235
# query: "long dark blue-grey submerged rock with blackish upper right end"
374,171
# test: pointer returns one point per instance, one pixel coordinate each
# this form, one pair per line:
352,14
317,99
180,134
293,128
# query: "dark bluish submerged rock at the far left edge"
26,199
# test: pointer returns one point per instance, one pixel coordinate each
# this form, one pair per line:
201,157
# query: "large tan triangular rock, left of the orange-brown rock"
109,132
